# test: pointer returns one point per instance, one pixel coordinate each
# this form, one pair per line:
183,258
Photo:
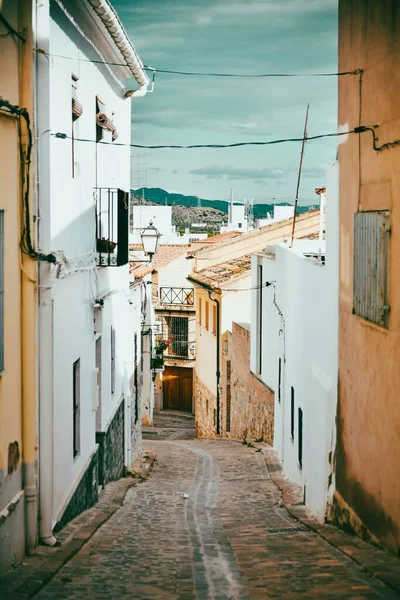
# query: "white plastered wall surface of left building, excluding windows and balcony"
72,231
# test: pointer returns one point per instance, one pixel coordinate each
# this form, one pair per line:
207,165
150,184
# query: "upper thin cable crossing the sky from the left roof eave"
197,73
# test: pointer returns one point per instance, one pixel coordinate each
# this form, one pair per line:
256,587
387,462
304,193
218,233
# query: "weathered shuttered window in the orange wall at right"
371,266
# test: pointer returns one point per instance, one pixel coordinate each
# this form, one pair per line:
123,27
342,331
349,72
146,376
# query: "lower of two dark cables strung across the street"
64,136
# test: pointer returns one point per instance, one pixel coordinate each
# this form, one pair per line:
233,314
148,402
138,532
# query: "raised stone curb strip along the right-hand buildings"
377,562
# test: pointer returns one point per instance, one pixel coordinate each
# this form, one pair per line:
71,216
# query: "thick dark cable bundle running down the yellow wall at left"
25,157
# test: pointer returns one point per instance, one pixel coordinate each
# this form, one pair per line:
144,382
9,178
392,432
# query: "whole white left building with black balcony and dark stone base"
86,319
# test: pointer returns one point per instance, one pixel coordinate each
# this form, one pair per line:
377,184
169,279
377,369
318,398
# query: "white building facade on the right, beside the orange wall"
294,347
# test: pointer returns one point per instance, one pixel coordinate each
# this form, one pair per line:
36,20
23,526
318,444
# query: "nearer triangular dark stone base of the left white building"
85,495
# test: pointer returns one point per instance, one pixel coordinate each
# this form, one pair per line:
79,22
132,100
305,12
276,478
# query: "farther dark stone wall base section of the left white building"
111,448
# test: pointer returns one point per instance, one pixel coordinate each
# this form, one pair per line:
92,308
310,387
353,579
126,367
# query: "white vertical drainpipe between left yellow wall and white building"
45,309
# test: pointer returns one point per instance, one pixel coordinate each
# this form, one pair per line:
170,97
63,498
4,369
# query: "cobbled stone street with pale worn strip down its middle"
230,539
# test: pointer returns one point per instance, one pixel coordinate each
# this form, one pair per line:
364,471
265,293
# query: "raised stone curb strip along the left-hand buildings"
28,577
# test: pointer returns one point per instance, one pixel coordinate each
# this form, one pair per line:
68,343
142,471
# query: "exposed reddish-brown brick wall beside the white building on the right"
252,403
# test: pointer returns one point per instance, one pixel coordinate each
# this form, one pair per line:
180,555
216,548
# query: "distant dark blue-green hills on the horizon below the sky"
158,196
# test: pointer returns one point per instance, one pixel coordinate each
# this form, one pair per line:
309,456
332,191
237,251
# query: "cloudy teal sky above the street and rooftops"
233,36
